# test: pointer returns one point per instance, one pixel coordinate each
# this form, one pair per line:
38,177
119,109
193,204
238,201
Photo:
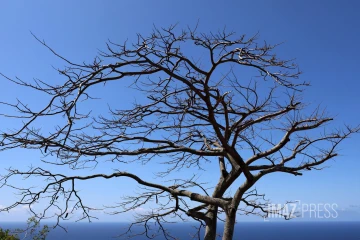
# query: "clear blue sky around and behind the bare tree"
323,36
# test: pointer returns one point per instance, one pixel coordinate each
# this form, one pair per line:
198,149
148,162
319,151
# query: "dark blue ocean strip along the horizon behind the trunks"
244,231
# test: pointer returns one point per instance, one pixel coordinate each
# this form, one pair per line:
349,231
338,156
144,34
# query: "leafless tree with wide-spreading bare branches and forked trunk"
199,109
